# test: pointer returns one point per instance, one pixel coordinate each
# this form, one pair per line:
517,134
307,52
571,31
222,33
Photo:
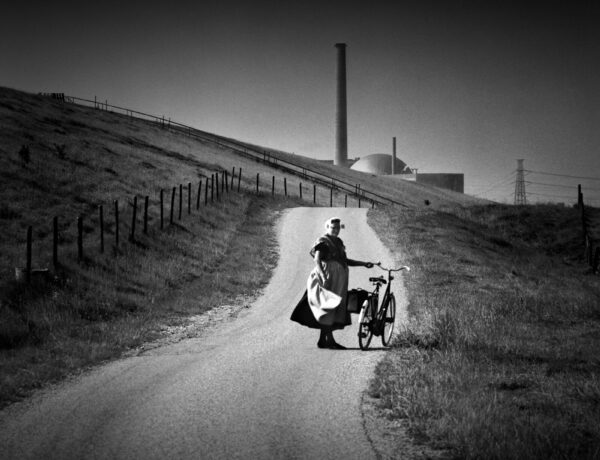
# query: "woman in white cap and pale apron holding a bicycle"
323,305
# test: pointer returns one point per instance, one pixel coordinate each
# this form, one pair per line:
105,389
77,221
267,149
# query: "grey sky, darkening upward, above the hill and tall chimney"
465,87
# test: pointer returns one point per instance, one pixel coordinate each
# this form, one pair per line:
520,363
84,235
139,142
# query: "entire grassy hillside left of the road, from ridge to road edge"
81,158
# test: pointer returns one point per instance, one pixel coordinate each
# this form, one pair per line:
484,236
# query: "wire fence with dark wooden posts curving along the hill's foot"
123,221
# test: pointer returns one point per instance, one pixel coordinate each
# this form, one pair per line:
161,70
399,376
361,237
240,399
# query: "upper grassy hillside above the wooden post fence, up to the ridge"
109,156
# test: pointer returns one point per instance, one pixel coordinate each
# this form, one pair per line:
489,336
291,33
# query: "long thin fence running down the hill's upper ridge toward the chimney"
246,150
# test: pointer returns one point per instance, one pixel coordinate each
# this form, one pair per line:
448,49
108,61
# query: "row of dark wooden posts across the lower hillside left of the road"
218,189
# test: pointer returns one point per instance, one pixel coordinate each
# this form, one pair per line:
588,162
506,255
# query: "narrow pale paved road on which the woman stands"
253,387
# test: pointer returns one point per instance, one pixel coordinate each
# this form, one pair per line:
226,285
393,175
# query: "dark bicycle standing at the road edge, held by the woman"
378,321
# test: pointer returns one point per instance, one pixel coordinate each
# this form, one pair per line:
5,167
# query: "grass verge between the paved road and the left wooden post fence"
96,310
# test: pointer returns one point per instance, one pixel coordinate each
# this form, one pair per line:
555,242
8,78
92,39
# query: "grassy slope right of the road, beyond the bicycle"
500,358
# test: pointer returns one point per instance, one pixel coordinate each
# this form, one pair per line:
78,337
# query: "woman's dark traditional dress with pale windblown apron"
324,304
